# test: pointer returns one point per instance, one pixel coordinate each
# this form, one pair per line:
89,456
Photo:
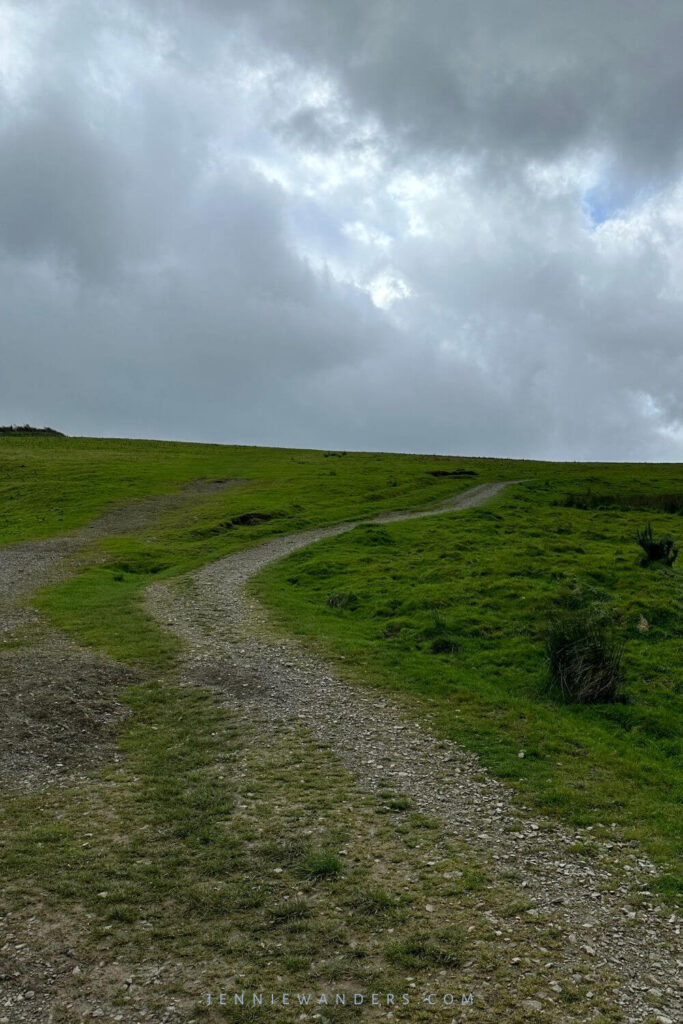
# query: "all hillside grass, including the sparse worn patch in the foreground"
235,855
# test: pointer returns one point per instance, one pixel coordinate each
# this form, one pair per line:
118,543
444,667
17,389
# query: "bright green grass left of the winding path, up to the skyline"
53,486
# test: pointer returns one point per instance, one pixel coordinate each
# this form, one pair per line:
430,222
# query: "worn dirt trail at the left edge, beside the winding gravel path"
59,707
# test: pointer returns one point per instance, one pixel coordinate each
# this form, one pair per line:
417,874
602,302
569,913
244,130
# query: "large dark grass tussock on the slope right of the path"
584,662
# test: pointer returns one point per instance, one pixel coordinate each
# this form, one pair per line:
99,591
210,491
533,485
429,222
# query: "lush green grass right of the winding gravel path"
452,614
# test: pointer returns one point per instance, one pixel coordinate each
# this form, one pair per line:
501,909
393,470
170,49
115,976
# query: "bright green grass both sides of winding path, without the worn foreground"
450,613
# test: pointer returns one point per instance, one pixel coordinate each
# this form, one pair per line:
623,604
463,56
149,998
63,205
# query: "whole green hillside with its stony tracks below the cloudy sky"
375,778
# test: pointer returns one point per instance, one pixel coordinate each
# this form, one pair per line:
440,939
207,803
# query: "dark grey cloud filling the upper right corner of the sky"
531,78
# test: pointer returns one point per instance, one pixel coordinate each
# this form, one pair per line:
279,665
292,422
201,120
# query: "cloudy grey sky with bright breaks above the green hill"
448,227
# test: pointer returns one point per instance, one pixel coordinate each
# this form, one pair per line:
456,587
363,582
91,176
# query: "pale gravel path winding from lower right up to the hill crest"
610,917
